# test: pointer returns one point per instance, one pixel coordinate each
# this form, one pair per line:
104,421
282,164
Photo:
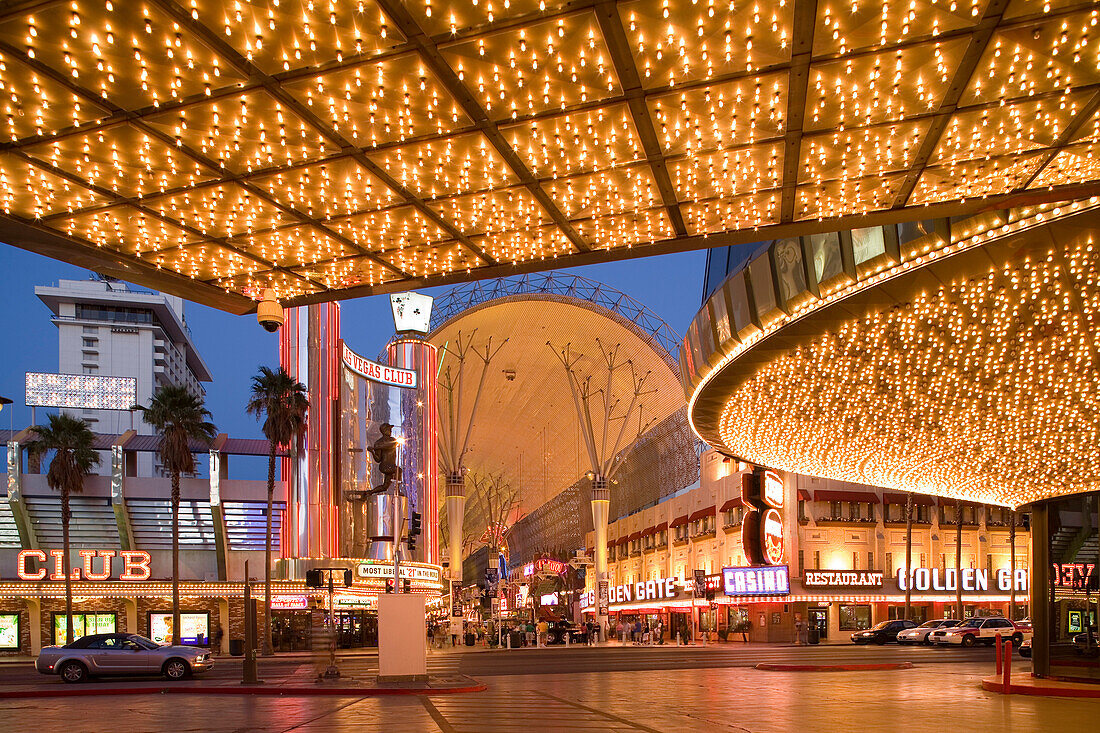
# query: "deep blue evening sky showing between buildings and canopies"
235,346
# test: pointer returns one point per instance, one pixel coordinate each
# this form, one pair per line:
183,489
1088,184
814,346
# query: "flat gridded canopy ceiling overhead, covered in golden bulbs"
214,148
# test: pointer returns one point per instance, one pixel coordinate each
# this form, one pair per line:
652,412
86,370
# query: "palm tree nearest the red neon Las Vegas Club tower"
284,402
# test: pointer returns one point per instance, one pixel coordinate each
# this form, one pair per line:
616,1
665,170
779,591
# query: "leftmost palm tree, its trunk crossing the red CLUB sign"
71,440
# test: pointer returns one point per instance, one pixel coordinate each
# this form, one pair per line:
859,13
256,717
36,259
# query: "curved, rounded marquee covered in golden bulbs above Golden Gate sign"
969,367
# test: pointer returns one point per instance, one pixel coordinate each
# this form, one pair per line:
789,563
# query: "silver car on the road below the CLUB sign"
120,654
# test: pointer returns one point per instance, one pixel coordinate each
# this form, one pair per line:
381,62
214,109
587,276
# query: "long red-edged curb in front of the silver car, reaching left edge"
256,690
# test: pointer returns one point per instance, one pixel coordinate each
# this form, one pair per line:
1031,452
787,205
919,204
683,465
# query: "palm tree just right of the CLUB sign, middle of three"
180,418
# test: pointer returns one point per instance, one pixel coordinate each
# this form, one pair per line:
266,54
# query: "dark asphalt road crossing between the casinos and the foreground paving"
588,660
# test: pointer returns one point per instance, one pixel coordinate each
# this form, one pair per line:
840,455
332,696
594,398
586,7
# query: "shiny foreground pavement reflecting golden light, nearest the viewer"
929,698
